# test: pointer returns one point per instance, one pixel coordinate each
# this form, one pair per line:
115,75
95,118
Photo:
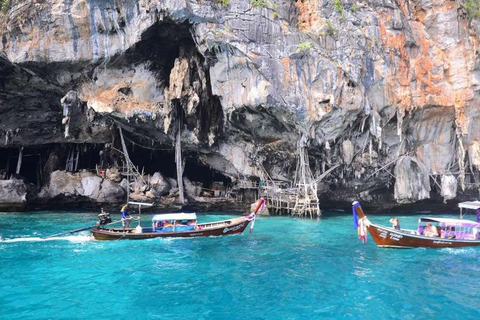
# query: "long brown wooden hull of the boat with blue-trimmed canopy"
213,229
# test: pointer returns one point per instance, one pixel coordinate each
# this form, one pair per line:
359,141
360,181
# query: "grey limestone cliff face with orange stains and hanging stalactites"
386,93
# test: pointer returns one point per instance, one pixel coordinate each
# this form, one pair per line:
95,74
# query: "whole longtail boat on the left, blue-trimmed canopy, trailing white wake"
175,225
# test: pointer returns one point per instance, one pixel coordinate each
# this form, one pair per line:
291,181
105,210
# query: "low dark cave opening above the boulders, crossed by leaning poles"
91,156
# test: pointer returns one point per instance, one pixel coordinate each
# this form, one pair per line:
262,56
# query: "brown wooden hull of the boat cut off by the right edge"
391,238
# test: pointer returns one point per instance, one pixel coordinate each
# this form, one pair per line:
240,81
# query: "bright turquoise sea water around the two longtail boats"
285,269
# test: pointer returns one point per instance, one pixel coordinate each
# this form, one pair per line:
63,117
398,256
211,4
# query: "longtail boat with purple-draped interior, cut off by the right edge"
446,233
